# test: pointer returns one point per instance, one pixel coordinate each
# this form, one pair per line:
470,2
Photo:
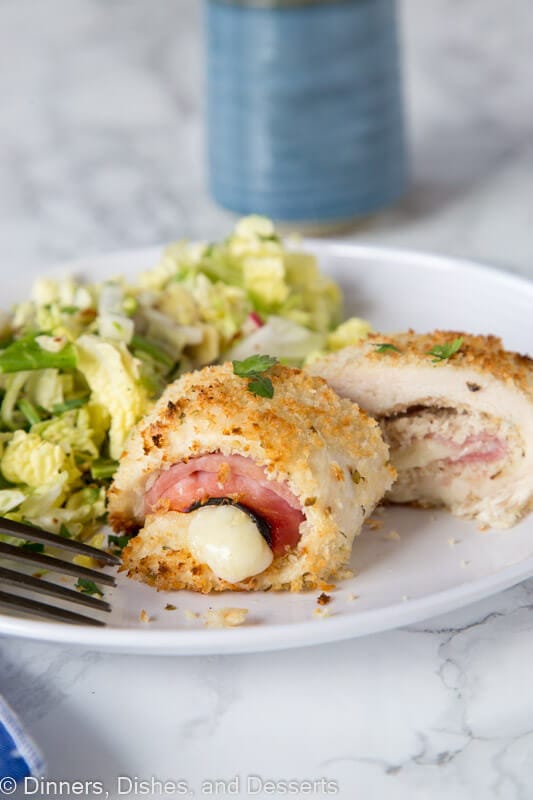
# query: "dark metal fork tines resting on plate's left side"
20,555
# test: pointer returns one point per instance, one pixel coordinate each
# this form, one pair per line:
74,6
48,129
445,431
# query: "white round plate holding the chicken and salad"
436,565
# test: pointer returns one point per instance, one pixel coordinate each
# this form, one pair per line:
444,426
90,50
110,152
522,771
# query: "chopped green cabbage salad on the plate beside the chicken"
81,363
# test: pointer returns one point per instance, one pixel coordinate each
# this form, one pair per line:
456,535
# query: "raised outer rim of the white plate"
276,636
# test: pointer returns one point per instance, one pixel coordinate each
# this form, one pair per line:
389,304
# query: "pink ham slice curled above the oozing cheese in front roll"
234,476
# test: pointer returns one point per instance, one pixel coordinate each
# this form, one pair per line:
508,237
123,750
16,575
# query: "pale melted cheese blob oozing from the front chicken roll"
229,542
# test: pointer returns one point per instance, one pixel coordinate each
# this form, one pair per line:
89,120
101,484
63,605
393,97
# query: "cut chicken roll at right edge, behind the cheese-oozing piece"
457,413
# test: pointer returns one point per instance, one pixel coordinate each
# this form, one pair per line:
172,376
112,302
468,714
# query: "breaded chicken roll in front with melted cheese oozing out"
227,489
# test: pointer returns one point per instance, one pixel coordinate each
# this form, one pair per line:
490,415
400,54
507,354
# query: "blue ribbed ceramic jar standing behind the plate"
305,118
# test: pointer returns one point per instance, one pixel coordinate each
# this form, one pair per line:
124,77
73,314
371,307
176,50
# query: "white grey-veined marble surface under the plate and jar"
101,149
